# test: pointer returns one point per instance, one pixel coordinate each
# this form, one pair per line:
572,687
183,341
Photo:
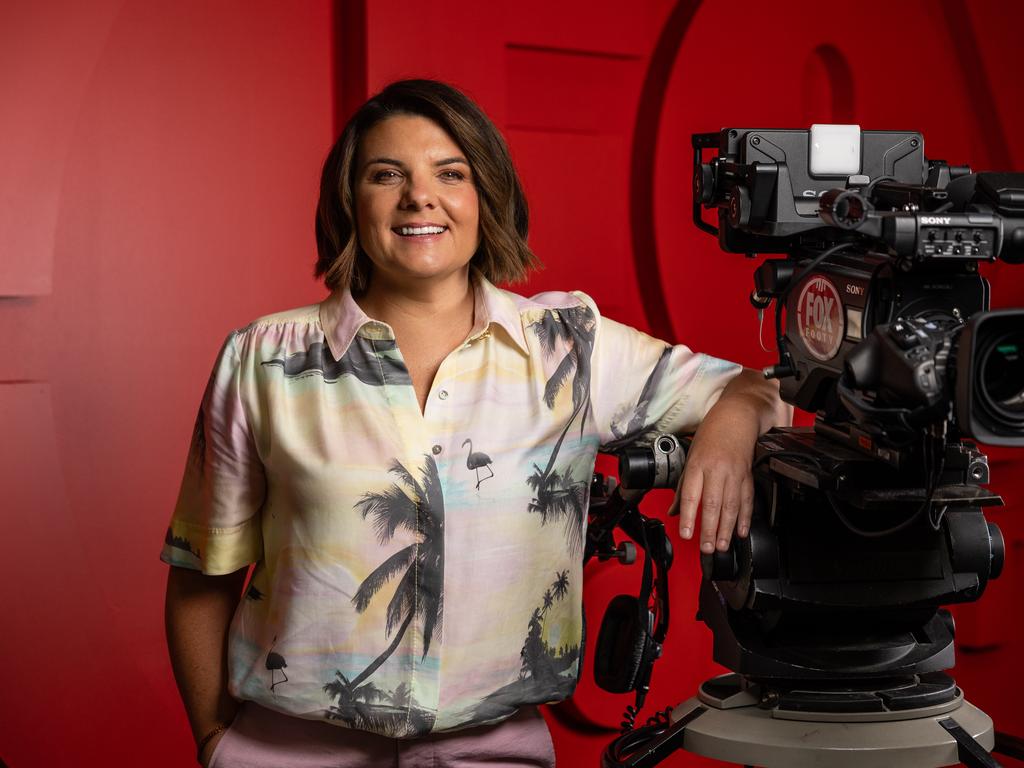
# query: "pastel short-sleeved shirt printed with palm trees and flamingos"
417,572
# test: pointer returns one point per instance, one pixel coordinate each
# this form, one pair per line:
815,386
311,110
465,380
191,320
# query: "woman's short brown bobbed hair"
503,255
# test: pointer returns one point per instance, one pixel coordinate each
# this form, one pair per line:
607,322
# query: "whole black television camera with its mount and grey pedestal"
829,614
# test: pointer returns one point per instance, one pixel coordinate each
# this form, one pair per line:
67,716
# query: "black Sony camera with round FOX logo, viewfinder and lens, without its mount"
882,252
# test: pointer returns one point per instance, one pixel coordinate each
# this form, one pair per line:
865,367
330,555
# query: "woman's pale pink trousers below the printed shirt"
263,739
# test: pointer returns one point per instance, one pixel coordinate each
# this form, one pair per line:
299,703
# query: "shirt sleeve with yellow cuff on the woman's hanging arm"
217,523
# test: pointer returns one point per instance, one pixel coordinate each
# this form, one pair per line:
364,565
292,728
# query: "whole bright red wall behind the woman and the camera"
159,167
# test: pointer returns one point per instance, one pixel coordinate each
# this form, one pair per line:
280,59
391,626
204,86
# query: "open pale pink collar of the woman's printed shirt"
343,319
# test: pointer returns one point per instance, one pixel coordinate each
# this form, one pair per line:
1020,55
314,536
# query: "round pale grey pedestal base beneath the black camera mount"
736,729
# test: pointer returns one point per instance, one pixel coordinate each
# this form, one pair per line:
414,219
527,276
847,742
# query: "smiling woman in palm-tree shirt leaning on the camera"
408,464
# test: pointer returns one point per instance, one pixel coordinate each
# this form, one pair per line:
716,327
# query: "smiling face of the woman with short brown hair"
417,214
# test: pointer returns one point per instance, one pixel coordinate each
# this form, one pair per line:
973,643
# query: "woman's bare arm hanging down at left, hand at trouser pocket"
198,613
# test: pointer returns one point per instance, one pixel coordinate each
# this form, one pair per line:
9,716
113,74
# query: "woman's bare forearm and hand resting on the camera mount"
717,476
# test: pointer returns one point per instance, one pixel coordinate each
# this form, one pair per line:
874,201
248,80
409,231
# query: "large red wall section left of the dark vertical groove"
184,207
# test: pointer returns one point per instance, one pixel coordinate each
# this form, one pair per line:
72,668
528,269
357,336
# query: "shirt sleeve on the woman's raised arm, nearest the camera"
643,387
